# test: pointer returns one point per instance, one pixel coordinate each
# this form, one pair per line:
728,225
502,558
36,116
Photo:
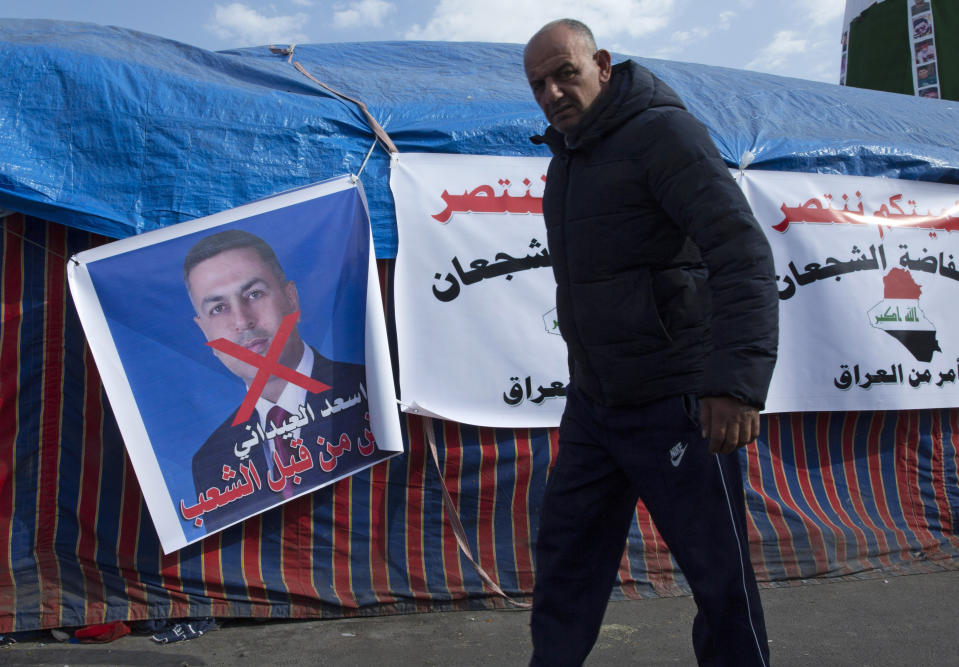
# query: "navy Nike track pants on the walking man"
608,458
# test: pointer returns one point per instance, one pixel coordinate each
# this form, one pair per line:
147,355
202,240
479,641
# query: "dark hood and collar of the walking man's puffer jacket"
632,90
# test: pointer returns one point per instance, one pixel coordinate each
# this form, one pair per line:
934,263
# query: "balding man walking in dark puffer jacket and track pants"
667,301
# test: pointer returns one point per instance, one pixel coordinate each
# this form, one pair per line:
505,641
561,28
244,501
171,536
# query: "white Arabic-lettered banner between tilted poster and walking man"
475,296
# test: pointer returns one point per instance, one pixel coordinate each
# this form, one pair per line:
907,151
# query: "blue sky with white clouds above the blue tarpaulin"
798,38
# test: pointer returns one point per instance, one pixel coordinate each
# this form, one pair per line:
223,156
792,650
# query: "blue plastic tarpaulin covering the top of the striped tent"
119,132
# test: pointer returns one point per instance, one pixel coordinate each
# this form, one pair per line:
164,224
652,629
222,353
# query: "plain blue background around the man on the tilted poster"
182,391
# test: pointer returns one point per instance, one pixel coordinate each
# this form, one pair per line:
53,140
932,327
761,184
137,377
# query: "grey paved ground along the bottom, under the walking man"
906,620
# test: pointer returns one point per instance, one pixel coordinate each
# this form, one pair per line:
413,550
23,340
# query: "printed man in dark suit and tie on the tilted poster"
310,421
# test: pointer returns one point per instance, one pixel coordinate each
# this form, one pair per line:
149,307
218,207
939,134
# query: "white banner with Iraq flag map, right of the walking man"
868,287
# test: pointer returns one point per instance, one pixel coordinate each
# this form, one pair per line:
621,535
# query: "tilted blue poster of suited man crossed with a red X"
244,355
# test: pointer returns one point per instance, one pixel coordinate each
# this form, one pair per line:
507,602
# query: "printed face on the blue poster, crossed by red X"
237,297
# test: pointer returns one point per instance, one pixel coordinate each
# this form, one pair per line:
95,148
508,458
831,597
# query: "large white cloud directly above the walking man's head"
516,20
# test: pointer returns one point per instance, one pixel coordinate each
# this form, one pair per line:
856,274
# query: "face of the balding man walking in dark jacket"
566,77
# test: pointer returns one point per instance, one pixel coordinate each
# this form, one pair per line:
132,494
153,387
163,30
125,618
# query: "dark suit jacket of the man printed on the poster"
332,456
